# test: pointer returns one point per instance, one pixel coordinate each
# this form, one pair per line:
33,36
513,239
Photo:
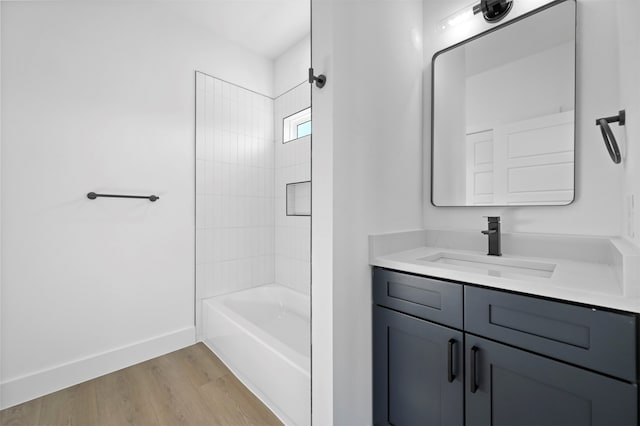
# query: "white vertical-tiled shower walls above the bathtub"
244,237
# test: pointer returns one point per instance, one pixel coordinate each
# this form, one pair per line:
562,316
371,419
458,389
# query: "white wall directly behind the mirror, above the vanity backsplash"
596,209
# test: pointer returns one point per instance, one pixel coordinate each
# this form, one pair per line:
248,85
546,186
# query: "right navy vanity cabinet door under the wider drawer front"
507,386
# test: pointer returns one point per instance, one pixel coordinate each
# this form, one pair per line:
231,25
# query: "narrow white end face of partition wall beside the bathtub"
322,205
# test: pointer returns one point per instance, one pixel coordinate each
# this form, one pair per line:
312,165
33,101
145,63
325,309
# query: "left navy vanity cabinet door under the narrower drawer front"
417,371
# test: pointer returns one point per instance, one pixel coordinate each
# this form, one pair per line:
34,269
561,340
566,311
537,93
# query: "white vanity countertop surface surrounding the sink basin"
587,282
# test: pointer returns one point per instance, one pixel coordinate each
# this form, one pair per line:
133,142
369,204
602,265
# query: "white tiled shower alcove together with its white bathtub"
247,248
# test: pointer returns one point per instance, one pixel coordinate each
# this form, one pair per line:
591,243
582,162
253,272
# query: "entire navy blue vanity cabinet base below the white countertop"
525,360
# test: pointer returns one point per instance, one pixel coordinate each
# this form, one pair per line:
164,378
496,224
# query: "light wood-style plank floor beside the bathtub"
187,387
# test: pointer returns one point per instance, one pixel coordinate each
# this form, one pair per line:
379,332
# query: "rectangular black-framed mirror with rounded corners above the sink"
503,110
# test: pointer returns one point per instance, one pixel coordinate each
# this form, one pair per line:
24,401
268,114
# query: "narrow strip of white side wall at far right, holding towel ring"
629,135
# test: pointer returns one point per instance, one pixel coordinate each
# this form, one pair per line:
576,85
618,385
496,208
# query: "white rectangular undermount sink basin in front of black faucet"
491,265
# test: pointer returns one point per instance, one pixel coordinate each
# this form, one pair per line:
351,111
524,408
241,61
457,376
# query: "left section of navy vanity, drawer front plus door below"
417,364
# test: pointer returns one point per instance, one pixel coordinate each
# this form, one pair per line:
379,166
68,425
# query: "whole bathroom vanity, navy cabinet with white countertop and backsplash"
460,337
